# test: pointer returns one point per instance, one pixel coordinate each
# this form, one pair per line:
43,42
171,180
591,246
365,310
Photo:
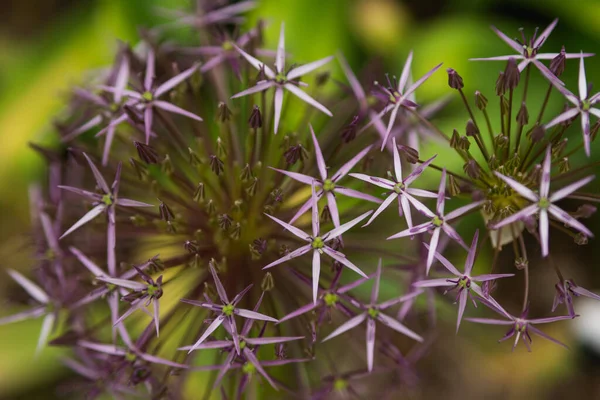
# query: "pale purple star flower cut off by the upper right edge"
583,105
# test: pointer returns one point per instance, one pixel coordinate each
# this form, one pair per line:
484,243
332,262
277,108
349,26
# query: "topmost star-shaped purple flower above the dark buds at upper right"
528,50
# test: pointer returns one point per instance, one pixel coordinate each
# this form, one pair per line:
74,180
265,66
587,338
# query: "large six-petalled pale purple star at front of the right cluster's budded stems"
543,203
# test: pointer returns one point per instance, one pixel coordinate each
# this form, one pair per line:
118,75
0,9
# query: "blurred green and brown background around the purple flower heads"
47,45
